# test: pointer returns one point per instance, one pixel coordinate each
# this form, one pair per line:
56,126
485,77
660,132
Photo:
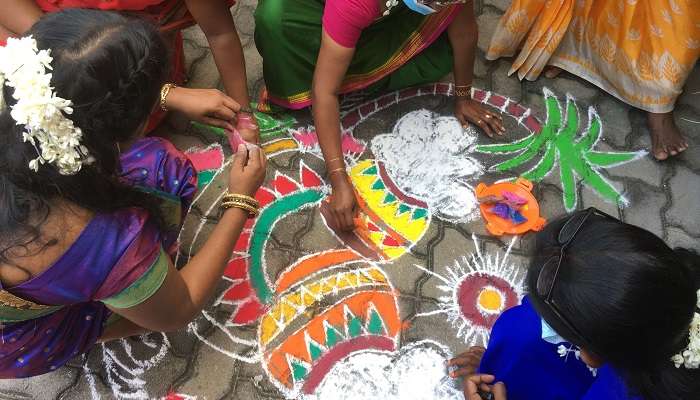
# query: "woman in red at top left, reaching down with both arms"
209,106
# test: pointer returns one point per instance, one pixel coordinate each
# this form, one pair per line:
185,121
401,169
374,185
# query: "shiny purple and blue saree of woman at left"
120,259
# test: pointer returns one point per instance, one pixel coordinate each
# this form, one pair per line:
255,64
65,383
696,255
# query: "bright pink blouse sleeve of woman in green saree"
344,20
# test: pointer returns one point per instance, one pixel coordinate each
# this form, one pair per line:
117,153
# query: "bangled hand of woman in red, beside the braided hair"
208,106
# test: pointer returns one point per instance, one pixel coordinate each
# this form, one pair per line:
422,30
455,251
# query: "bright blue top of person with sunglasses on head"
532,368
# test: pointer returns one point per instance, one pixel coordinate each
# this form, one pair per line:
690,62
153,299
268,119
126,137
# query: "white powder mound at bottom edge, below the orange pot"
416,372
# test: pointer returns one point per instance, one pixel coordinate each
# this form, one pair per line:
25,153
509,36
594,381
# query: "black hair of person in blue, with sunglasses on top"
630,296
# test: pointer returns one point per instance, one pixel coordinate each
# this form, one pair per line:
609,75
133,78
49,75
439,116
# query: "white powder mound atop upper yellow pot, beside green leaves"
427,157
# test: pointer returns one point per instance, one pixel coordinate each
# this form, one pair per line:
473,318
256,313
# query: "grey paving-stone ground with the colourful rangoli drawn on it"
433,279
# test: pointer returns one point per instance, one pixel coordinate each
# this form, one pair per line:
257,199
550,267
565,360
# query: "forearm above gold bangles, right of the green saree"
463,35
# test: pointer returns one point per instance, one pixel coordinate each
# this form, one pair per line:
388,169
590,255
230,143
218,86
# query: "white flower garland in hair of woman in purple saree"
57,141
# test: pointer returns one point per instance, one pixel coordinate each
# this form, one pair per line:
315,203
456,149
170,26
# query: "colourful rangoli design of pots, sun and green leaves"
315,326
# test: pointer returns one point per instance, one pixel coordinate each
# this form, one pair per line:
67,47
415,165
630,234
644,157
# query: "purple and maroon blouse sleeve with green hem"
139,272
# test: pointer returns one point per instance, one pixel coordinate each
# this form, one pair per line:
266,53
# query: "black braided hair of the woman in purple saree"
111,67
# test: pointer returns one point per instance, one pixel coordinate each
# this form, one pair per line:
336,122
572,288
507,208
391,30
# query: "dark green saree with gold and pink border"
399,50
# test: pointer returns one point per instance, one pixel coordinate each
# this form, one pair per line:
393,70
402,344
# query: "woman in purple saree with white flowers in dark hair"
85,246
